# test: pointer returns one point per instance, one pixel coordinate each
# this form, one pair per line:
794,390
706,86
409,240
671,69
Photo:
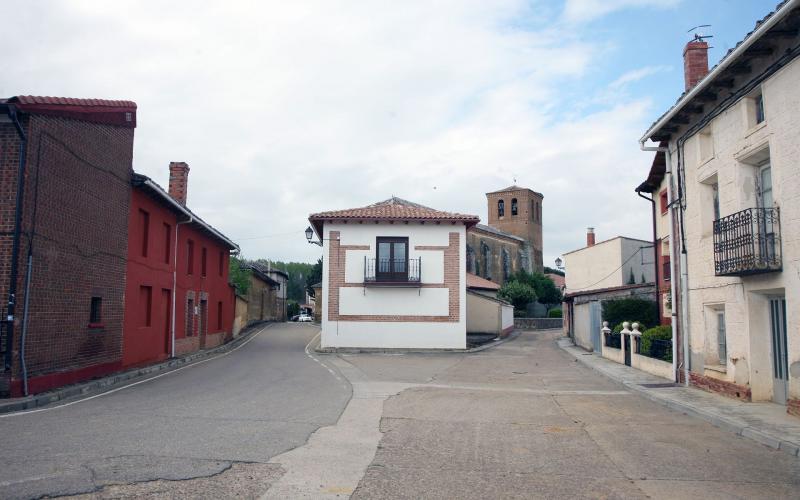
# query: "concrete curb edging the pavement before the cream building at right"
716,420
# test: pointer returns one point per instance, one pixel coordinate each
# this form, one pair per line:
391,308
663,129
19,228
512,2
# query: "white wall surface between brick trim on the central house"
377,301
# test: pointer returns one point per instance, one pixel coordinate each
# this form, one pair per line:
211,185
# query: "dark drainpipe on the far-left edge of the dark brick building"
12,287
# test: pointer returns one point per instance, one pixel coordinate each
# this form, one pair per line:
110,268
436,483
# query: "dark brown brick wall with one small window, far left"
75,211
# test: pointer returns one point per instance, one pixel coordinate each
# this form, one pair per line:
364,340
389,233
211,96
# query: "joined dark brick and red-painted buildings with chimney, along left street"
87,269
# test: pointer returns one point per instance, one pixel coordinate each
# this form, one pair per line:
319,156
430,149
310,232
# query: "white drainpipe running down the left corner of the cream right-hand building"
683,325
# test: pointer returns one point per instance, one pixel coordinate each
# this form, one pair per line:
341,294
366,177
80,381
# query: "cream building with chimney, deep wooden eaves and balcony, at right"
732,143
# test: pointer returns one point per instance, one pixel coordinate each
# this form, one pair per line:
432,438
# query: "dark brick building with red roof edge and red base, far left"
65,183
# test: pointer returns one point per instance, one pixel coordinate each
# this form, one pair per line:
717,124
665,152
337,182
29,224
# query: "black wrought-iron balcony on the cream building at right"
748,242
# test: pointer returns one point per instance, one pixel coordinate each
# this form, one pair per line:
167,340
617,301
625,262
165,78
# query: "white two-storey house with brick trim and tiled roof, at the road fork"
394,276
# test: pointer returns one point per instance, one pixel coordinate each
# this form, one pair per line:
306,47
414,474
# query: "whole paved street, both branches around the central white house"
521,420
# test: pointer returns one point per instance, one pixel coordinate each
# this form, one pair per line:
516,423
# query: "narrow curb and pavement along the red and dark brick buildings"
111,381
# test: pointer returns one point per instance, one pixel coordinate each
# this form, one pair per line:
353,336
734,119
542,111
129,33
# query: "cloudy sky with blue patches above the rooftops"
282,109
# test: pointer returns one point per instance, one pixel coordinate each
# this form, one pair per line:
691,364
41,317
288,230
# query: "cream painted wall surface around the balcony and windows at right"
737,145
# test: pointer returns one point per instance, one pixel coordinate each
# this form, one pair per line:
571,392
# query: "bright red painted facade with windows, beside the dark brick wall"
204,303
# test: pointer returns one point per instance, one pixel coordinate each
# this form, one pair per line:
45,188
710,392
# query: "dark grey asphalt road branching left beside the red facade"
242,408
